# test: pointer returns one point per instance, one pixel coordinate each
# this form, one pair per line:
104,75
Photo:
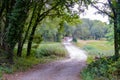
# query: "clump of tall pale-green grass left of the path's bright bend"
46,50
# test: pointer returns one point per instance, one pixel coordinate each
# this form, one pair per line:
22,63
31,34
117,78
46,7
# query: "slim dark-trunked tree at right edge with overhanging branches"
110,8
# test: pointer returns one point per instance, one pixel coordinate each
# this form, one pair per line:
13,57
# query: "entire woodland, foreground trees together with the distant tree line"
30,22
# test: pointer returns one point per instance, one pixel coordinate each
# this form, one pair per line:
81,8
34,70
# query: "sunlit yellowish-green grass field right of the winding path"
96,47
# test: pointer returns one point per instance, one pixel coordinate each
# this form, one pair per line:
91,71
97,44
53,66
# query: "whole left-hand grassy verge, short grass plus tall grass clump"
43,54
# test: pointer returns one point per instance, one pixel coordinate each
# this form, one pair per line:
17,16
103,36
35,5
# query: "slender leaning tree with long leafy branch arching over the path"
53,8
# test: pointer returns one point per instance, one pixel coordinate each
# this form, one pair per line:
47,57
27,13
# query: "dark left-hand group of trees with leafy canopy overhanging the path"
19,20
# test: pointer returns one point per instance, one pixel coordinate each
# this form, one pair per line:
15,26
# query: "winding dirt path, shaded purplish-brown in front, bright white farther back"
68,69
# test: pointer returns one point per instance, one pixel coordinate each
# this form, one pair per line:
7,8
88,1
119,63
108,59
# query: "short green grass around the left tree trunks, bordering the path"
24,63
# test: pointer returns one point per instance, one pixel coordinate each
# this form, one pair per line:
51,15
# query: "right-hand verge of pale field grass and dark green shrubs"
102,68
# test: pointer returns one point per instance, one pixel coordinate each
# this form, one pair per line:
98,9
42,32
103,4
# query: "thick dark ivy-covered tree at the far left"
15,15
